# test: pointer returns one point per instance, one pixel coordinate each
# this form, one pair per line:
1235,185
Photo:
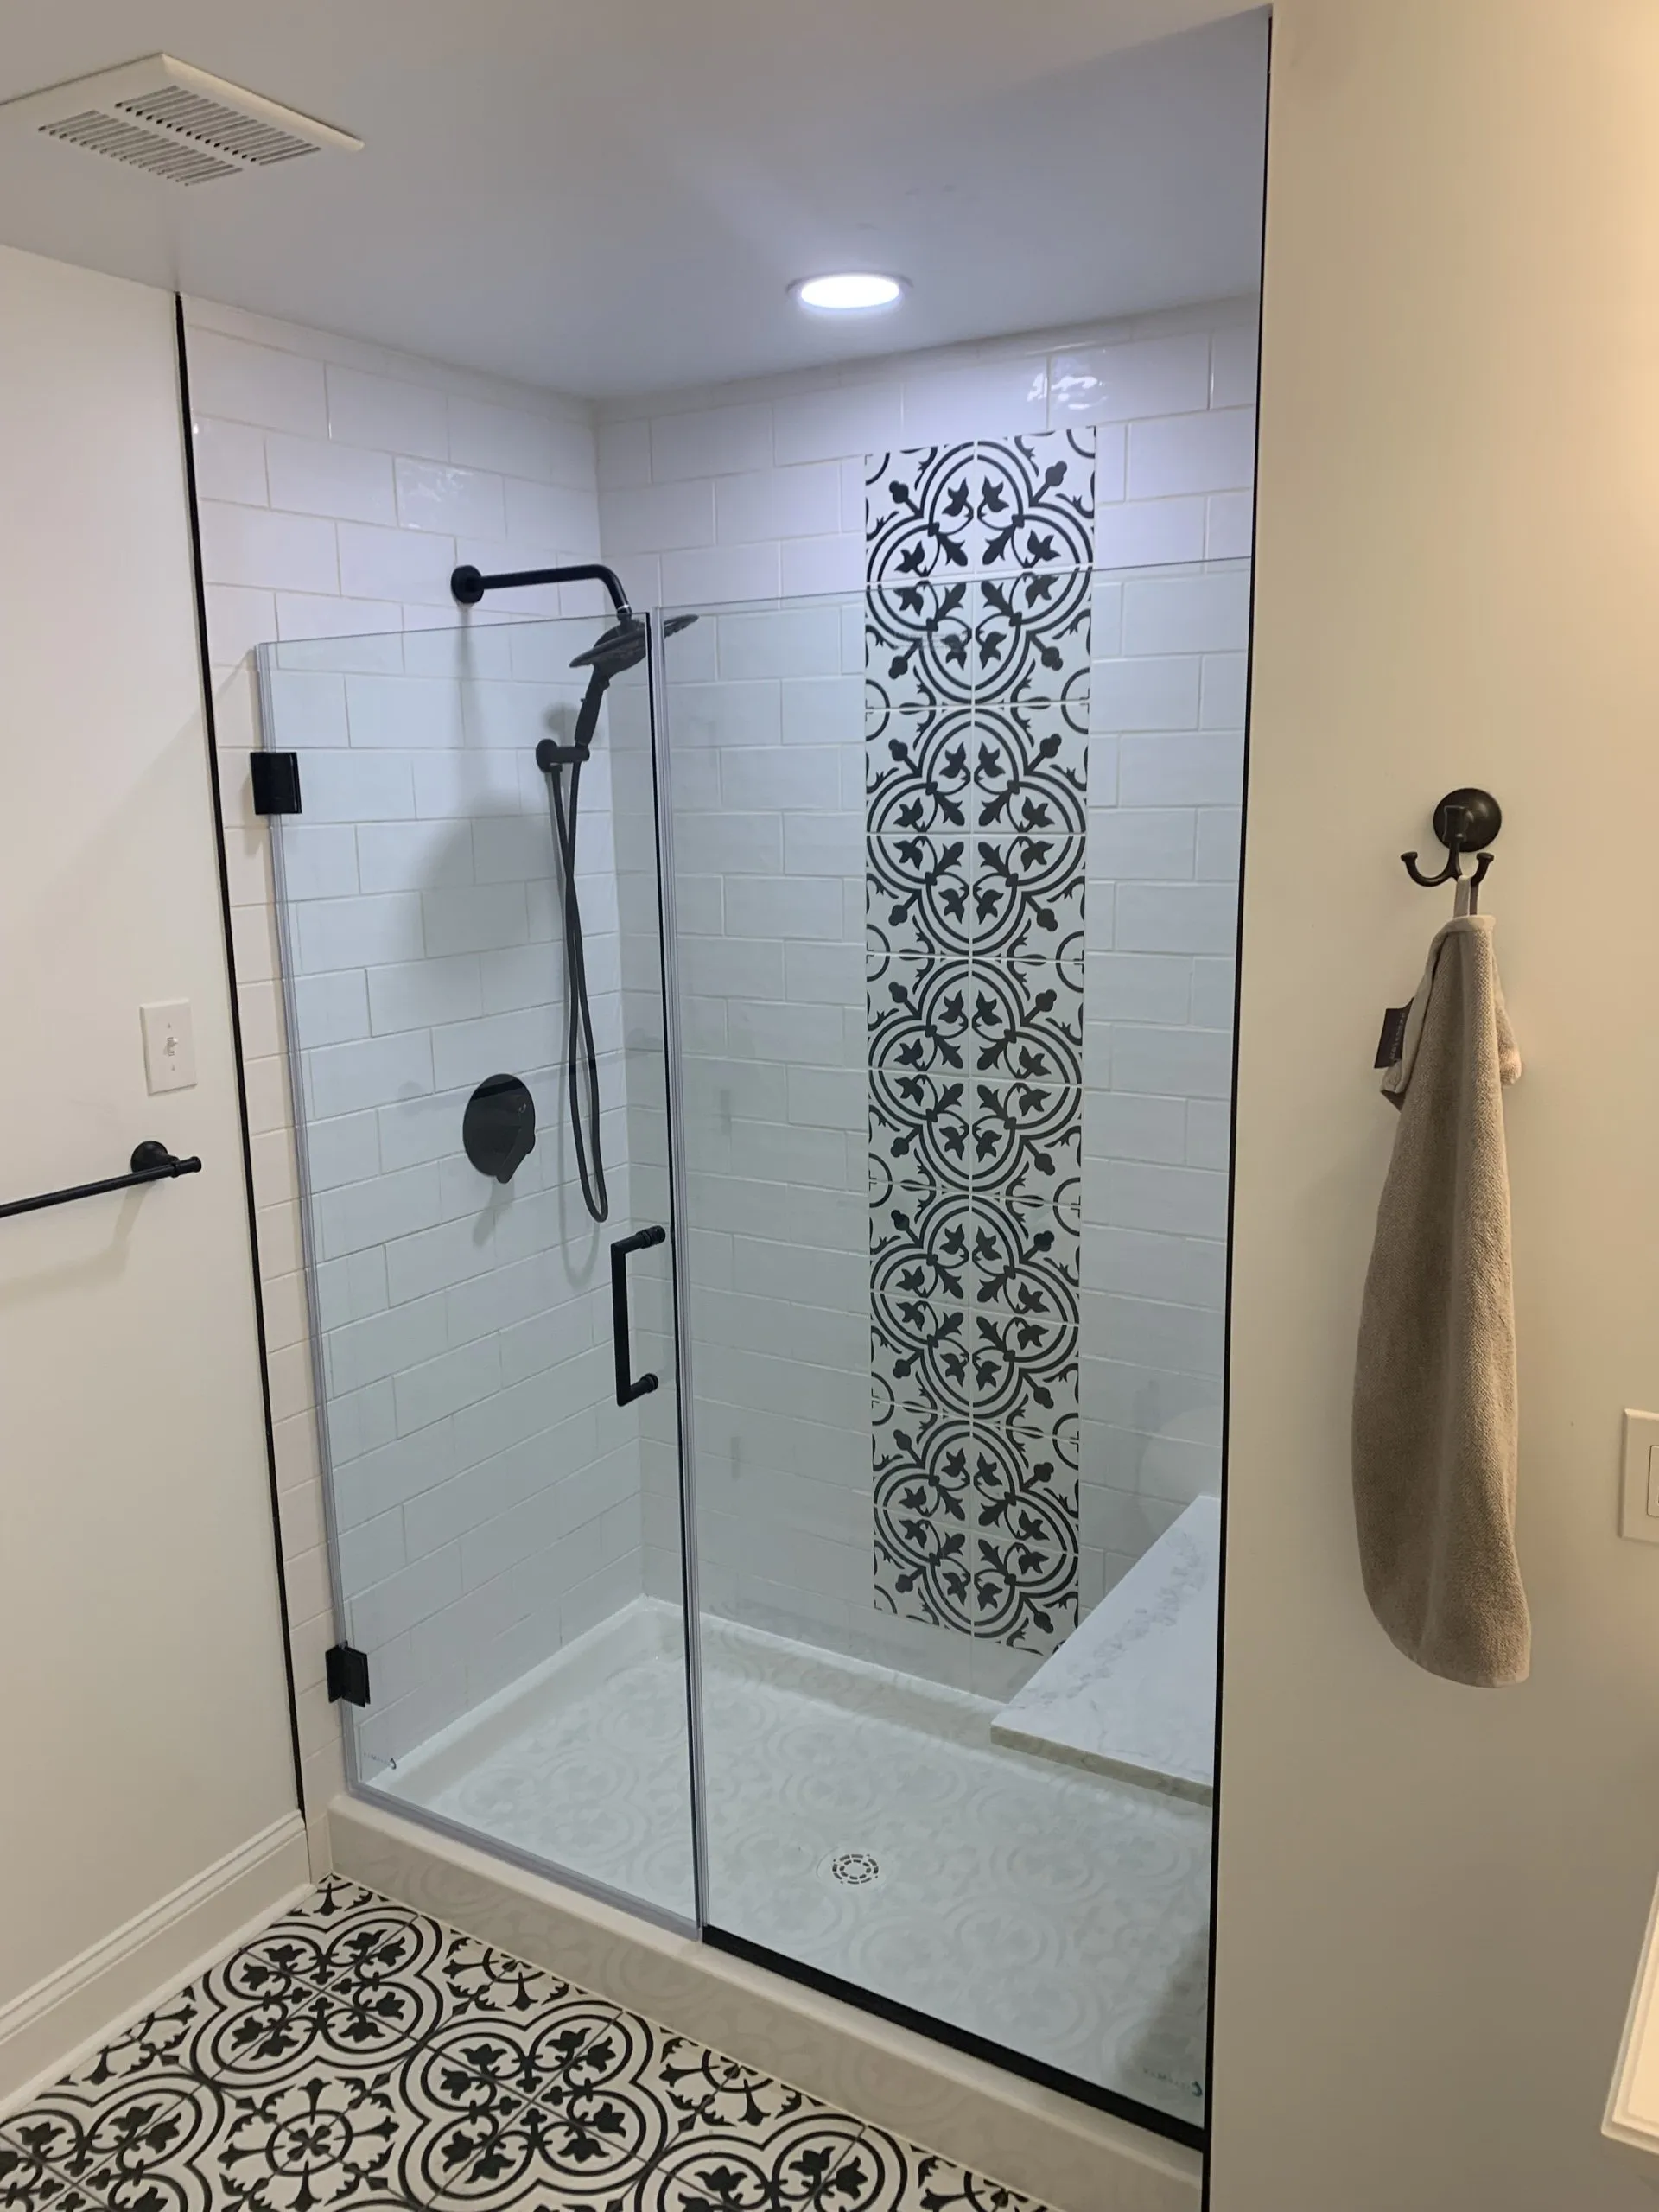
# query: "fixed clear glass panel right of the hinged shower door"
957,904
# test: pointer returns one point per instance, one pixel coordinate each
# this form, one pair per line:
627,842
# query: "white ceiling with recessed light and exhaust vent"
612,196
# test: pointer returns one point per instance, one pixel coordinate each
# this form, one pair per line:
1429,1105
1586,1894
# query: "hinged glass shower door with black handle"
494,1366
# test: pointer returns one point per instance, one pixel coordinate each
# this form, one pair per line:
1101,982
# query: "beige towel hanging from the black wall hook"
1434,1390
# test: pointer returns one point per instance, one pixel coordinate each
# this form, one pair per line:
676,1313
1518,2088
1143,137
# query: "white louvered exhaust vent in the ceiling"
174,121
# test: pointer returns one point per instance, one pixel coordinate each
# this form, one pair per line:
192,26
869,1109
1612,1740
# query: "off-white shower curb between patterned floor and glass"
1032,2138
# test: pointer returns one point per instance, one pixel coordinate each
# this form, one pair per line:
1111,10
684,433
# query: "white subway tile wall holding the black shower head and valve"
340,486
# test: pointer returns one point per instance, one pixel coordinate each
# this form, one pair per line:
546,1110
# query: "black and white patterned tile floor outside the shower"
364,2058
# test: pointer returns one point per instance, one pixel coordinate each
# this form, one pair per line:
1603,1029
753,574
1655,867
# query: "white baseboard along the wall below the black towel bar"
74,2010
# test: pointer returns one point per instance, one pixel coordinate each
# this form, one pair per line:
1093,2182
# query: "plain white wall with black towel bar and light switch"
145,1724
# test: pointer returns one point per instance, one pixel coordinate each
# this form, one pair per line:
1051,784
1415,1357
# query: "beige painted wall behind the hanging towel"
1432,1899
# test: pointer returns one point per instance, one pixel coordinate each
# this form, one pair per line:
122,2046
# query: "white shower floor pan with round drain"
866,1826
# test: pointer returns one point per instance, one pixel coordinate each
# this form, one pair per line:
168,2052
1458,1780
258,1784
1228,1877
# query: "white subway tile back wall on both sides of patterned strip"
760,490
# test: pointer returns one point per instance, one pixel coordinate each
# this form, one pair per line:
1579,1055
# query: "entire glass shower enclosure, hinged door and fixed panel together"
877,1640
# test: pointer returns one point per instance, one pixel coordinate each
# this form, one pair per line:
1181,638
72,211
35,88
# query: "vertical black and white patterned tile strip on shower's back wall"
979,585
